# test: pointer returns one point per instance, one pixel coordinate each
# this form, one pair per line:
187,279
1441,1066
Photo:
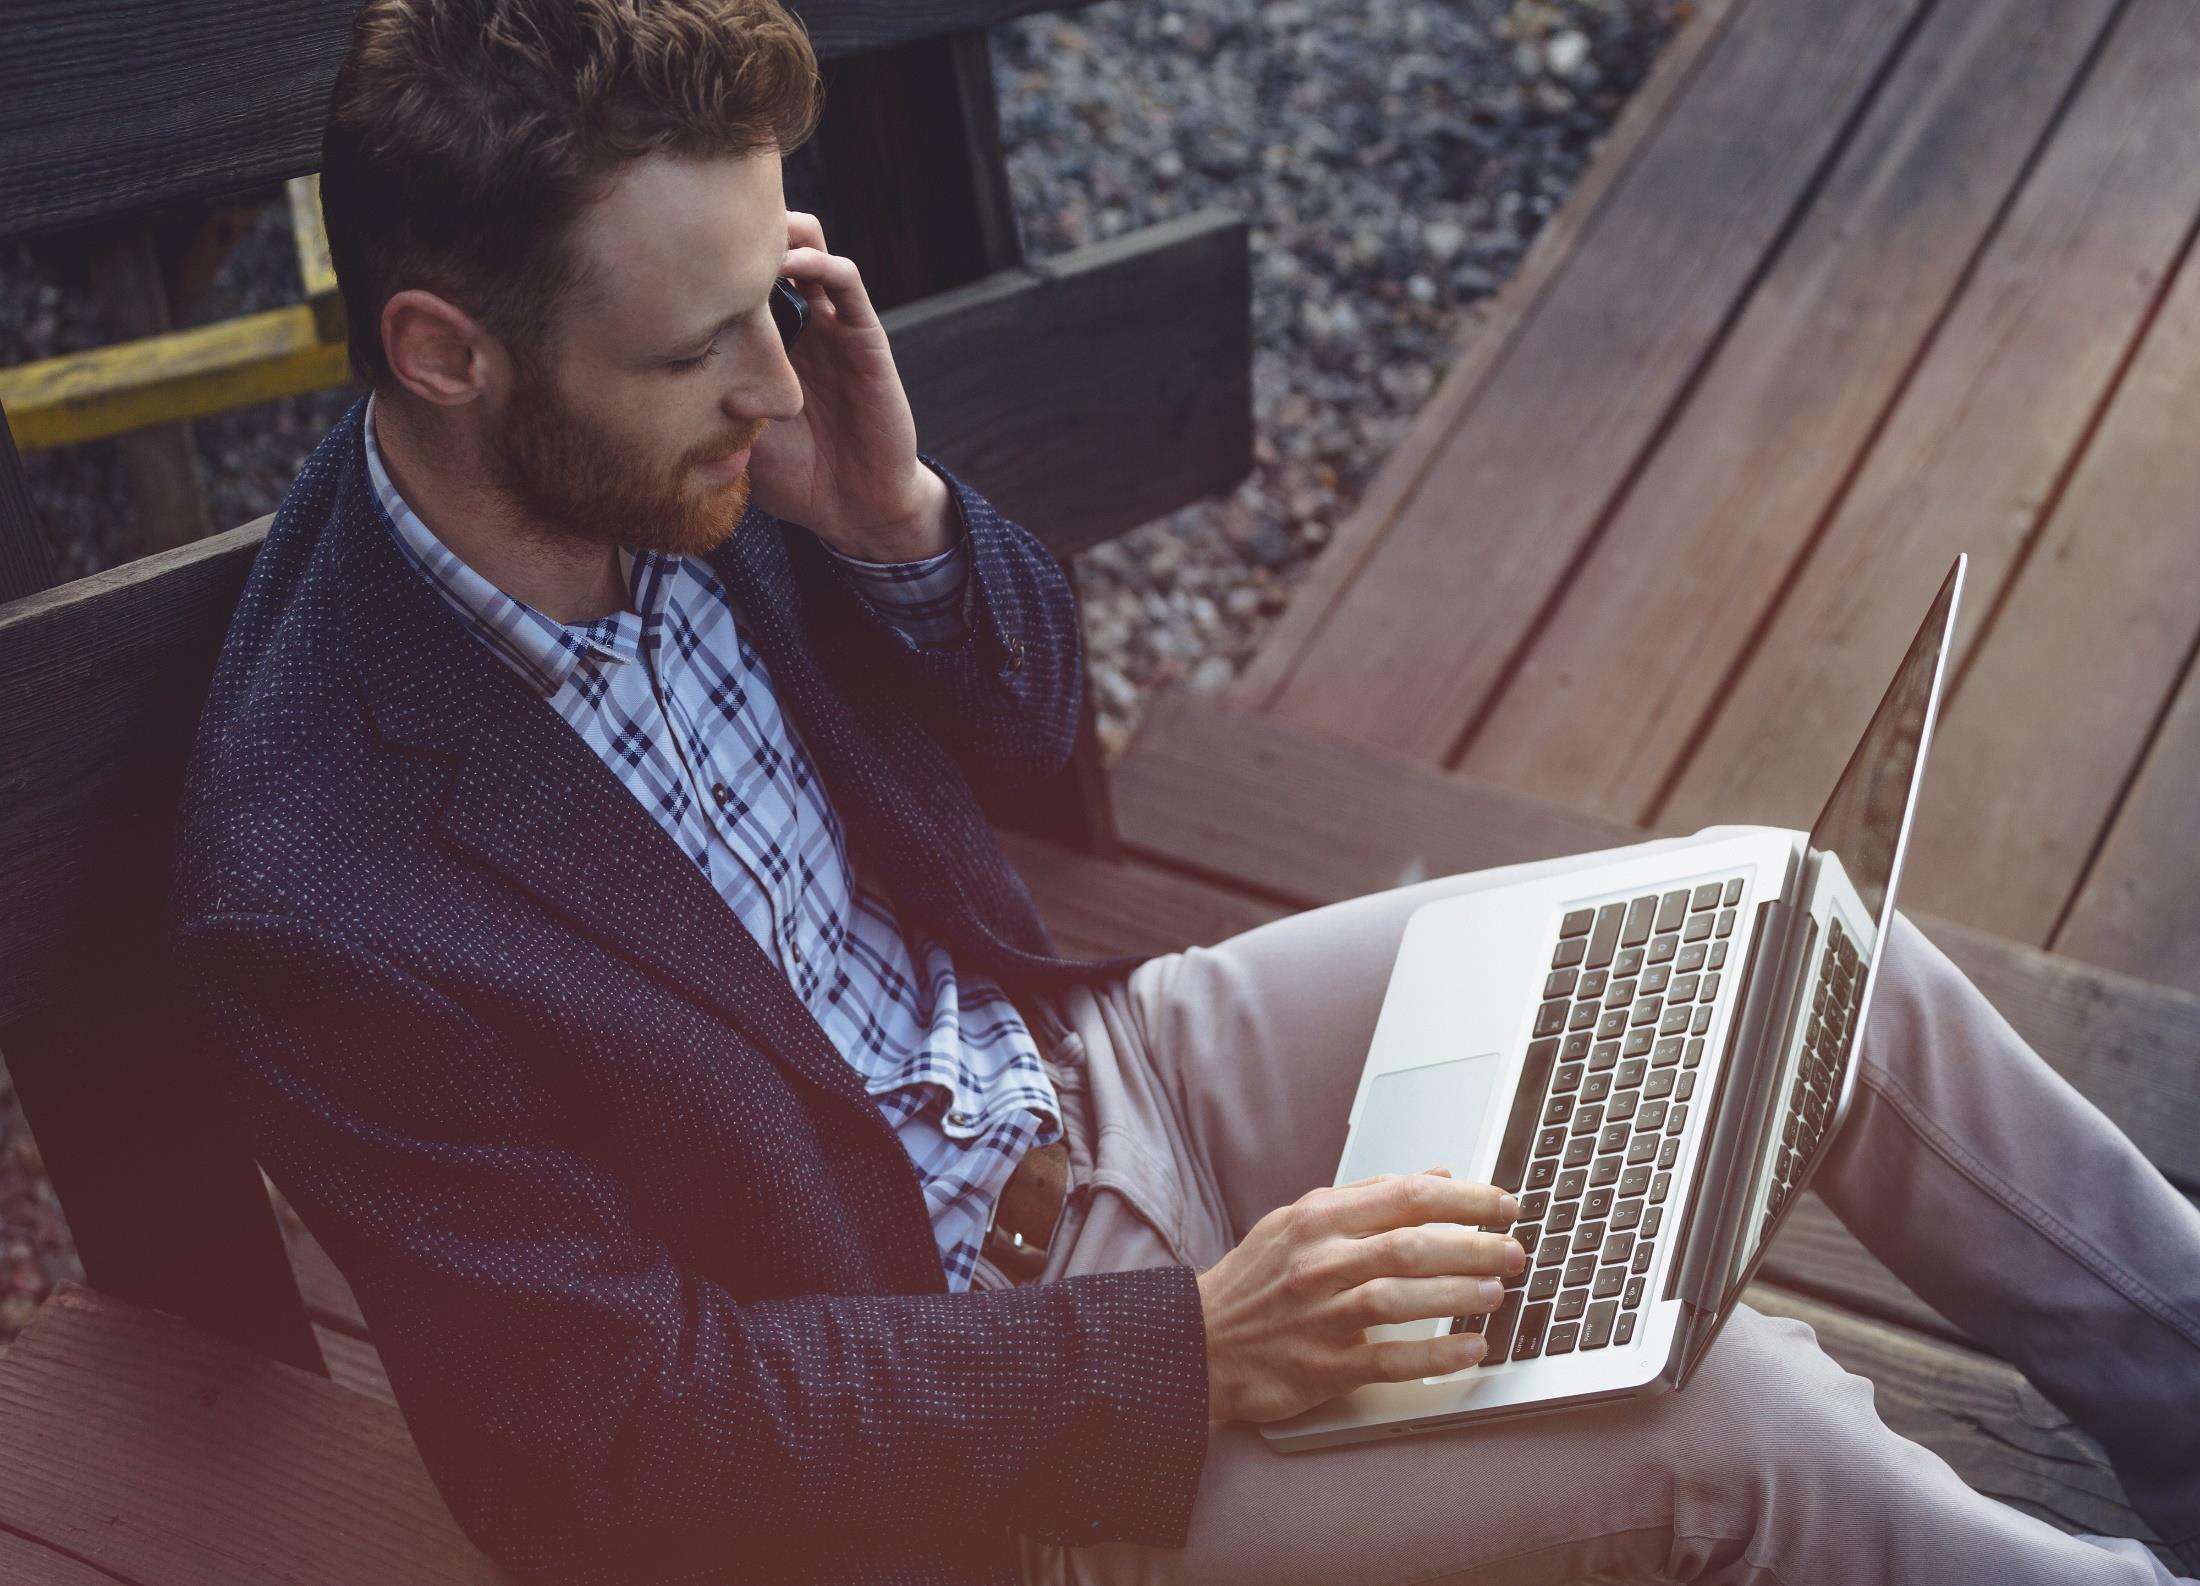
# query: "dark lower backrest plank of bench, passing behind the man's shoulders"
100,679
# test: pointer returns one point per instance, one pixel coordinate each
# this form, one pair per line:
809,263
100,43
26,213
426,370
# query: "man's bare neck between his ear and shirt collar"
483,527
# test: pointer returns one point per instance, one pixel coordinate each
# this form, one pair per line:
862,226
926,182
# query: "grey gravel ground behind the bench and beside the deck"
1394,159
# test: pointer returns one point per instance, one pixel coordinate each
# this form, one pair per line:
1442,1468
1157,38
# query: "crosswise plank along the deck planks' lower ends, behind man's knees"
1257,804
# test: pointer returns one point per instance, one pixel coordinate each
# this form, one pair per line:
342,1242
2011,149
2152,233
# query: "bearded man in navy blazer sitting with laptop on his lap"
584,872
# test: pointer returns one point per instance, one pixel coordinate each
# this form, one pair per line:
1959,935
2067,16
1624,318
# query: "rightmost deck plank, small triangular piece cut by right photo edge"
2137,910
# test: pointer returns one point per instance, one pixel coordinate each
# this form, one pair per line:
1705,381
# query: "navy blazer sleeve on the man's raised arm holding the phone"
1006,696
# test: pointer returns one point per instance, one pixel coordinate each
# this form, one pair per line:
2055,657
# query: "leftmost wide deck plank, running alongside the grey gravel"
1427,630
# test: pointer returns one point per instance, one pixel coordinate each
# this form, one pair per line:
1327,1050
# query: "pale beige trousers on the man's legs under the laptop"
1209,1088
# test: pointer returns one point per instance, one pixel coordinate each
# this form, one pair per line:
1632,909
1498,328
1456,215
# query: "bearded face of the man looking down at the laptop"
674,362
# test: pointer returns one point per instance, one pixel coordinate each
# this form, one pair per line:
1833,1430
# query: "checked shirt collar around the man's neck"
542,650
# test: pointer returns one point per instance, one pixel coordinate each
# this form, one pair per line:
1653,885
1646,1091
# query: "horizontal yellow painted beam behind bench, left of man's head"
162,379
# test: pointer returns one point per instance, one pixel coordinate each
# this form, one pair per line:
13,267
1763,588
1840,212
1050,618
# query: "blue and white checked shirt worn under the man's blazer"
679,705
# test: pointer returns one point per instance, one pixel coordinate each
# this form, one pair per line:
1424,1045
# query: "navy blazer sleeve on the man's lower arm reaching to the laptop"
577,1394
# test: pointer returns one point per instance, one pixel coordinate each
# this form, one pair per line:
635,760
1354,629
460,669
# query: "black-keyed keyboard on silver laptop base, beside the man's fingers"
1600,1112
